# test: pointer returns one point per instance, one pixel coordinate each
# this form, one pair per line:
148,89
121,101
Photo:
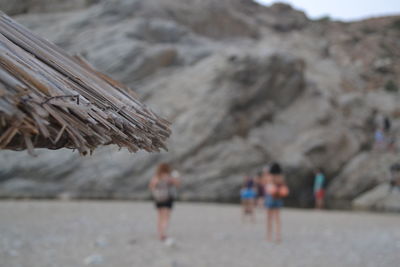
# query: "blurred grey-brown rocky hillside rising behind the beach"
243,85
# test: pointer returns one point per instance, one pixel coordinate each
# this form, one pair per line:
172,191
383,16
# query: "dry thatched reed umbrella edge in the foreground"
49,99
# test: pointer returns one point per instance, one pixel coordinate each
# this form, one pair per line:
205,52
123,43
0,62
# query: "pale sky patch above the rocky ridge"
346,10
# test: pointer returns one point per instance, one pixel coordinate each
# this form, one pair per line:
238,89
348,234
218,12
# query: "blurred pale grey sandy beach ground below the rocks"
45,233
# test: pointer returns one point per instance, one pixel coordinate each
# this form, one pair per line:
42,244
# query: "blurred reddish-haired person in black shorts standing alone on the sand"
163,188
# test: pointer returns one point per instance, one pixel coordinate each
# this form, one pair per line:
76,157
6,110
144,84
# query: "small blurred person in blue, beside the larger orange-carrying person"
248,195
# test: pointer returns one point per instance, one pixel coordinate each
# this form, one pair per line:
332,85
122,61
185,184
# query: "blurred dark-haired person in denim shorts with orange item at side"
275,189
